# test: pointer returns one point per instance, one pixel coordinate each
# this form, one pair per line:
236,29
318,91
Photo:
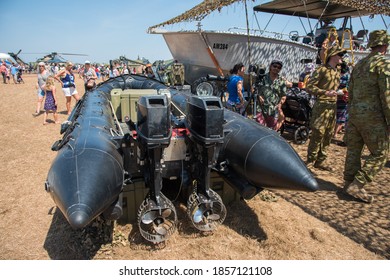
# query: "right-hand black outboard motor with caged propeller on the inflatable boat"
205,118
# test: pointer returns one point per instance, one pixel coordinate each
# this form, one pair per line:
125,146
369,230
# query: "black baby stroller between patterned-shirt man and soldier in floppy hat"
297,112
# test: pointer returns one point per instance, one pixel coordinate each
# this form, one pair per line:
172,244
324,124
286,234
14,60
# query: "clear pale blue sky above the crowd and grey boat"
107,29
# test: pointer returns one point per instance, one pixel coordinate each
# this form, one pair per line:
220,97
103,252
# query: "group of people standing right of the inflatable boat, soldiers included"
354,99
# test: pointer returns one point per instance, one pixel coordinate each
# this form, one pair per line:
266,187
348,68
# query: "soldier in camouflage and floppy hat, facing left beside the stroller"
323,84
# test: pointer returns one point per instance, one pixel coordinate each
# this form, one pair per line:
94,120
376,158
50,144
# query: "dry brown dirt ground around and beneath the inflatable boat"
324,225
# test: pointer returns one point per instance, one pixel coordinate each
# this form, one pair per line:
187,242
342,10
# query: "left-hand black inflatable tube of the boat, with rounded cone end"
87,174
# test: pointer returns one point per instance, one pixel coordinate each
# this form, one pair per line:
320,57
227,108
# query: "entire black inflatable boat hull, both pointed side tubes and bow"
87,175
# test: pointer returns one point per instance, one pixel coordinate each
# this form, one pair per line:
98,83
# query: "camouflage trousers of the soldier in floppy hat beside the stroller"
322,124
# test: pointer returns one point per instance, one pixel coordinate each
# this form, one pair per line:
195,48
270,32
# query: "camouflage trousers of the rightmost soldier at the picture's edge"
373,133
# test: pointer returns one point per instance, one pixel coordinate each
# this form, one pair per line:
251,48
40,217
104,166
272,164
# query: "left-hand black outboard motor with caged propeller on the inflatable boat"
157,217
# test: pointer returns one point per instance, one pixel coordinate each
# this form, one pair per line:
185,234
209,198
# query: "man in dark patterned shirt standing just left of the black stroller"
272,94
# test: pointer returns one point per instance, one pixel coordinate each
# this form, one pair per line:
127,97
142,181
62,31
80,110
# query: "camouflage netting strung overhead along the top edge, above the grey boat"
200,11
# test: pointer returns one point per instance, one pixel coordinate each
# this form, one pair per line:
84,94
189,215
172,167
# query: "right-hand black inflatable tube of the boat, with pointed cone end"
259,155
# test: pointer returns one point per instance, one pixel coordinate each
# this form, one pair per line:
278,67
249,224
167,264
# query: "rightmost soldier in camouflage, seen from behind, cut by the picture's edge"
369,117
